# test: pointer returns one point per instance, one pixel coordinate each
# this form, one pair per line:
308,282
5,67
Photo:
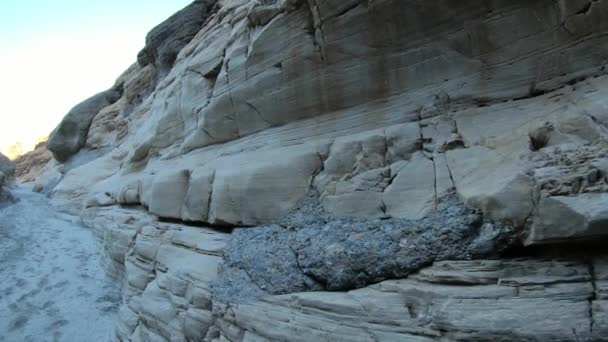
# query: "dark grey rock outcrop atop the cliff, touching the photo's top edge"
166,40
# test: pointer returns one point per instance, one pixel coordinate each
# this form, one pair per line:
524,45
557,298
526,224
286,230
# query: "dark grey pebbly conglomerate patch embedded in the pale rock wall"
342,254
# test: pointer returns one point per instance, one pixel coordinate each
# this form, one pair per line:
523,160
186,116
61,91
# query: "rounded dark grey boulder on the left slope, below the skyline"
71,134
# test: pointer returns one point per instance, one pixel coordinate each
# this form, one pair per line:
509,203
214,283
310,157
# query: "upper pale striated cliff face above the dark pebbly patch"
365,150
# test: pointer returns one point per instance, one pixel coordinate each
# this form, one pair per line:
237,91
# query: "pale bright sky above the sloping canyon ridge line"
56,53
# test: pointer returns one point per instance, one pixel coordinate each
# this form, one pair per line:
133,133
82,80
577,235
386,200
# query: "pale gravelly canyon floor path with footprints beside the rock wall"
52,285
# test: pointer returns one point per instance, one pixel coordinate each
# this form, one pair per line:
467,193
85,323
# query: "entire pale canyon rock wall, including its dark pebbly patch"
406,155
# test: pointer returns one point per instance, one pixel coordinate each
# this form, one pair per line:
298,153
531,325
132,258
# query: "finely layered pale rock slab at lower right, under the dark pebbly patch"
485,300
